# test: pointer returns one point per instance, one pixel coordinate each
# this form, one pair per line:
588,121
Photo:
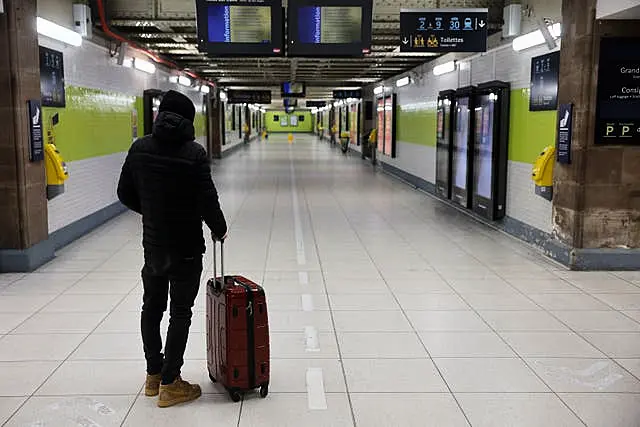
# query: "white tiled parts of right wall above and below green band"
502,63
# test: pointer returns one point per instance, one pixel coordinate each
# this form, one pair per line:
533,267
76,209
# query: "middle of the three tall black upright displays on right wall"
462,150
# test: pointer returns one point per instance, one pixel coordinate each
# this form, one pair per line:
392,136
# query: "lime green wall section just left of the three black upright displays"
416,126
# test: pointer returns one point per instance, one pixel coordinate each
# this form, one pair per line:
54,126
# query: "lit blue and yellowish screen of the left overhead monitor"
239,24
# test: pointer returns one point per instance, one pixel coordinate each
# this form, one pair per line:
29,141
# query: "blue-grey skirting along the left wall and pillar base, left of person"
22,261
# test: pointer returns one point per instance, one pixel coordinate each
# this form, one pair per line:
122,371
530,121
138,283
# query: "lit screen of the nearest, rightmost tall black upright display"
484,145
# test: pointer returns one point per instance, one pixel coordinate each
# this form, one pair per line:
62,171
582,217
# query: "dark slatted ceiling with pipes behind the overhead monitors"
168,27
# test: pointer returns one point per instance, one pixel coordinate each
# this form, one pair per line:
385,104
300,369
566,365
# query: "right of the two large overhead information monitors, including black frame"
329,27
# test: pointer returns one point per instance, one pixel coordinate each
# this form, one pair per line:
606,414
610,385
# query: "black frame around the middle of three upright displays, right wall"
463,196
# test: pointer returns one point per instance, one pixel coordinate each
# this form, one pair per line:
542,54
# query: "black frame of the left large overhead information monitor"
275,48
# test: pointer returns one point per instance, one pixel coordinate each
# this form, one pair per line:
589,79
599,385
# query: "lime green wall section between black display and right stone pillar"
529,131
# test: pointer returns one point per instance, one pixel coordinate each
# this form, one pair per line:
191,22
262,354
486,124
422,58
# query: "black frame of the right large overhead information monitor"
349,50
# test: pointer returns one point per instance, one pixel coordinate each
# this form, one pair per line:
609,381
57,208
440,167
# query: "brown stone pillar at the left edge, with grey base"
23,216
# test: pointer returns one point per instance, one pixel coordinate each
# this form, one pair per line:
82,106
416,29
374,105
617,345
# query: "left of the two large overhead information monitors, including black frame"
240,27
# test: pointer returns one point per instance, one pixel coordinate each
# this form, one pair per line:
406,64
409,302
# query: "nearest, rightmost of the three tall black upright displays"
491,144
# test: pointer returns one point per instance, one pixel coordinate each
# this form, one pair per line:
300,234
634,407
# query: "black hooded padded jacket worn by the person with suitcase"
167,178
